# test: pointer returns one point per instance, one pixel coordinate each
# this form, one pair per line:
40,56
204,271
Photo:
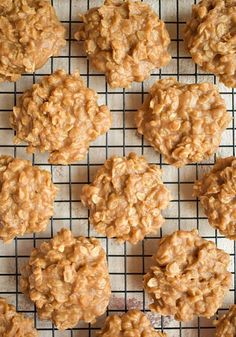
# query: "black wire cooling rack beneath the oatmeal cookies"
127,263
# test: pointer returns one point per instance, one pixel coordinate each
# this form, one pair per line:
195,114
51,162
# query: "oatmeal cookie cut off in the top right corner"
210,37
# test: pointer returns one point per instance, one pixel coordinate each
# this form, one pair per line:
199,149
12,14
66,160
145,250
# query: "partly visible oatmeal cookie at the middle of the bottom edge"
132,323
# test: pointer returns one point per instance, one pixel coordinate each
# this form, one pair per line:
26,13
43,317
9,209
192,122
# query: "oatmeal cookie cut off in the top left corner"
30,34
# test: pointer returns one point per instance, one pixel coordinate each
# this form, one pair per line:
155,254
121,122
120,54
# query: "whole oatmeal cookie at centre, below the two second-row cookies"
126,198
